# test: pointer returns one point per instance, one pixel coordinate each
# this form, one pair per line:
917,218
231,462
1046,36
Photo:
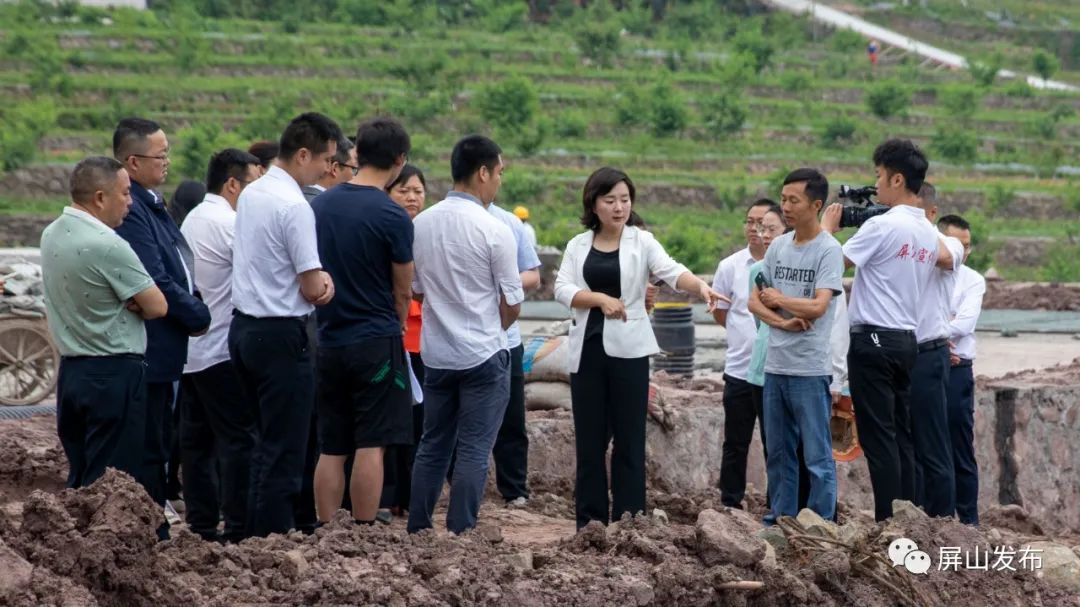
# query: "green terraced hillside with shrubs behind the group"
706,110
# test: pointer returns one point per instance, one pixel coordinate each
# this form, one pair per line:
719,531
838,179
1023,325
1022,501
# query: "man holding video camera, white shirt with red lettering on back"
896,252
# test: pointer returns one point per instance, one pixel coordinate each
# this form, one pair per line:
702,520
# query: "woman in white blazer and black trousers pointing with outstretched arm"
603,279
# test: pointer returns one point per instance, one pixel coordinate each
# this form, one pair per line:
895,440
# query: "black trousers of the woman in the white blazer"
610,394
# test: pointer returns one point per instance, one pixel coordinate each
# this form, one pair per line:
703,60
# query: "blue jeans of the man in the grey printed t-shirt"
800,408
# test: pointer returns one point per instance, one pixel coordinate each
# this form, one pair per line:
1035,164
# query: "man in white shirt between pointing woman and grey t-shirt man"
740,409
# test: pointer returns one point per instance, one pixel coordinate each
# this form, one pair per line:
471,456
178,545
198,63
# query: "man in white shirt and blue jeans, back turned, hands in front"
468,280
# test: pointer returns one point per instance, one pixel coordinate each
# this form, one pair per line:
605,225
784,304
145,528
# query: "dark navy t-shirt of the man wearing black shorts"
361,233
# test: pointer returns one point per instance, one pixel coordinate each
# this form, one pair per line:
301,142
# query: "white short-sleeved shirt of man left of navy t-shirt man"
276,242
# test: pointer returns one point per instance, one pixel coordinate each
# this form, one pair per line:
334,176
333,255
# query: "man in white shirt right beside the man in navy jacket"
218,422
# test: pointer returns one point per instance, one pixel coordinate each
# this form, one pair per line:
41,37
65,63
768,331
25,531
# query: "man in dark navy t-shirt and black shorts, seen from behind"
366,242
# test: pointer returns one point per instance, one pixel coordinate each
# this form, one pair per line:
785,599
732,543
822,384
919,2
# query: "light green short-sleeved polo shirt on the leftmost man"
89,275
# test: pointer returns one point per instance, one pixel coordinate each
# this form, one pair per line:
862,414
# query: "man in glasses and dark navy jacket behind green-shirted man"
143,149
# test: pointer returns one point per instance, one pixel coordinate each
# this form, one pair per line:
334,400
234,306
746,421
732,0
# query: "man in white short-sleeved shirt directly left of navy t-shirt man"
277,281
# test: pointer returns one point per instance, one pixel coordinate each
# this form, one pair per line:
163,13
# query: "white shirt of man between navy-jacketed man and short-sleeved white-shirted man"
209,231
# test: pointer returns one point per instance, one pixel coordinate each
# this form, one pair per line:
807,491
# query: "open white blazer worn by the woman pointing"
640,255
